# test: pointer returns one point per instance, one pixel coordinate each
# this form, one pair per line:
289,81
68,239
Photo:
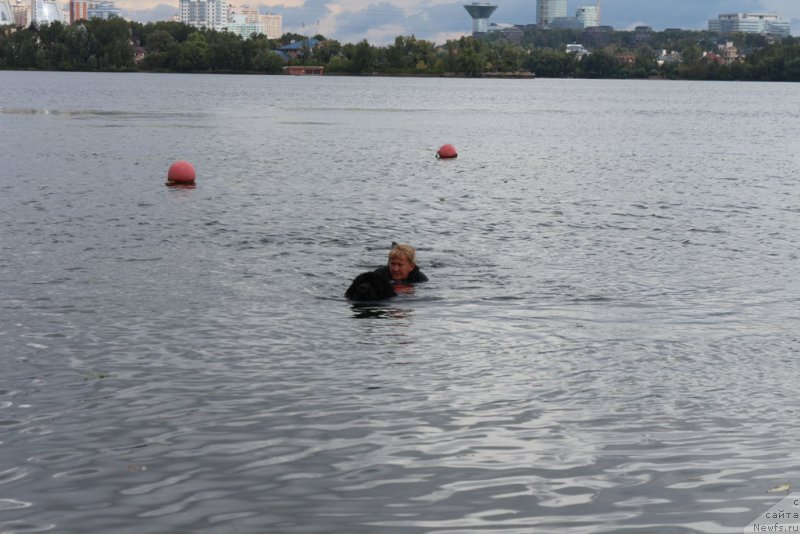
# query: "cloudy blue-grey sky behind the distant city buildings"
380,21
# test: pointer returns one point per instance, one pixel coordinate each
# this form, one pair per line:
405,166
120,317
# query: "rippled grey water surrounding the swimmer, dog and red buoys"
609,341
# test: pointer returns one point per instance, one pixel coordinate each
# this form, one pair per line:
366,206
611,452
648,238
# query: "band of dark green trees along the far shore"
118,45
